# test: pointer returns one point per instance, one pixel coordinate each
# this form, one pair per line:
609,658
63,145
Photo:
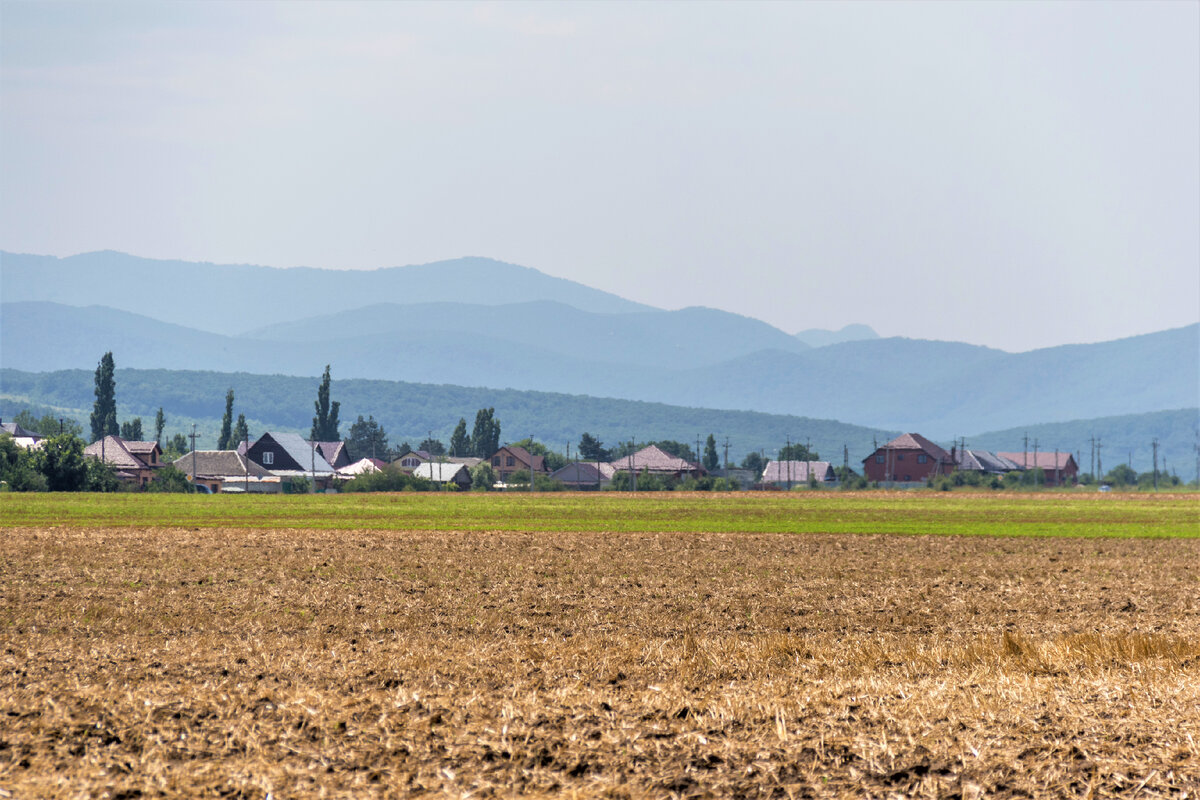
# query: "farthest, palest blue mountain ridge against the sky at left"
231,299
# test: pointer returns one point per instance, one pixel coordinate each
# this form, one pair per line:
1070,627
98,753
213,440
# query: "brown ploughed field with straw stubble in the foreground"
254,664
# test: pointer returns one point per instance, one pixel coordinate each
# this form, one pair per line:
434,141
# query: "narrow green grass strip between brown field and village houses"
1136,516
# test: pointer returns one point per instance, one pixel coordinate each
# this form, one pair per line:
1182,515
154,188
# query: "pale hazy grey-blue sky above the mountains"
1012,175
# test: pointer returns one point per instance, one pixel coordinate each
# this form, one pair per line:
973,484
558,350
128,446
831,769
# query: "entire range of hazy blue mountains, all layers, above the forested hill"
481,323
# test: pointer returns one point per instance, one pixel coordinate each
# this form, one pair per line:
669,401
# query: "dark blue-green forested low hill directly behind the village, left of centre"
410,412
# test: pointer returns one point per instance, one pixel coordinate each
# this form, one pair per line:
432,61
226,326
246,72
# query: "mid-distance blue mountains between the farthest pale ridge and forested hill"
941,389
